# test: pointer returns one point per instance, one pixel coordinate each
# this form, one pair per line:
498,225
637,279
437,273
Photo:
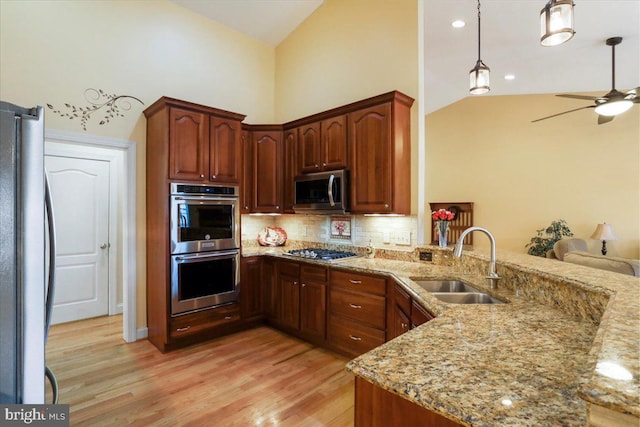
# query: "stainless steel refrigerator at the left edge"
27,245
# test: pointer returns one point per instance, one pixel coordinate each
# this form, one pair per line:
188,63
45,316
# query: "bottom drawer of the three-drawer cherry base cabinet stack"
352,337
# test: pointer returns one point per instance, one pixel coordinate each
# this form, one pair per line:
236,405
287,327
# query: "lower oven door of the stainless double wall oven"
200,281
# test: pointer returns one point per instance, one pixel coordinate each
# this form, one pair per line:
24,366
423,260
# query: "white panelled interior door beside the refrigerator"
80,196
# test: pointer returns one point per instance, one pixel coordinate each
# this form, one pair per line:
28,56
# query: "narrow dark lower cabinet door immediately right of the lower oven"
252,295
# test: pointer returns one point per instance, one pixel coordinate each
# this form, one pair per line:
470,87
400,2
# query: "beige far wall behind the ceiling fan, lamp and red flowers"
523,175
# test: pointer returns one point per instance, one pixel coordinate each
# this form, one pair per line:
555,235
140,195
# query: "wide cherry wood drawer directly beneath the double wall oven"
193,323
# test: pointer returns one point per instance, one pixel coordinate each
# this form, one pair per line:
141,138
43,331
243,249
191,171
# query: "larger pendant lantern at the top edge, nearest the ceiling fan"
556,22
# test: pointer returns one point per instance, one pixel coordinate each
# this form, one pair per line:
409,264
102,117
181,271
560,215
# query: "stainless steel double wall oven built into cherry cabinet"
205,246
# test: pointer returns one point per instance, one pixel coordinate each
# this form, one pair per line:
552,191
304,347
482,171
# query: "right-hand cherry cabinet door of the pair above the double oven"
225,151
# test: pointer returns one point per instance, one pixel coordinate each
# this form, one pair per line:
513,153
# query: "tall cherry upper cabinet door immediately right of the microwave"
371,165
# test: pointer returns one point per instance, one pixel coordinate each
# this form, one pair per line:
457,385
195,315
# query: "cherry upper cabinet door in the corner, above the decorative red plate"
267,171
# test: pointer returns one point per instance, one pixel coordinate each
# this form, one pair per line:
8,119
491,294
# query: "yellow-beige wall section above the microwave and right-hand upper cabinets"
349,50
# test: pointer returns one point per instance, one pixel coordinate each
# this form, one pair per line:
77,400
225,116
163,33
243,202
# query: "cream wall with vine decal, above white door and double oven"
51,51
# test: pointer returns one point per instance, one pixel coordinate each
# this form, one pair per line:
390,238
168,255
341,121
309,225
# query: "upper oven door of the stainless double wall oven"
201,224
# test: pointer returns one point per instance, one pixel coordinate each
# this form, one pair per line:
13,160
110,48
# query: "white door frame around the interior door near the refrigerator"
127,150
